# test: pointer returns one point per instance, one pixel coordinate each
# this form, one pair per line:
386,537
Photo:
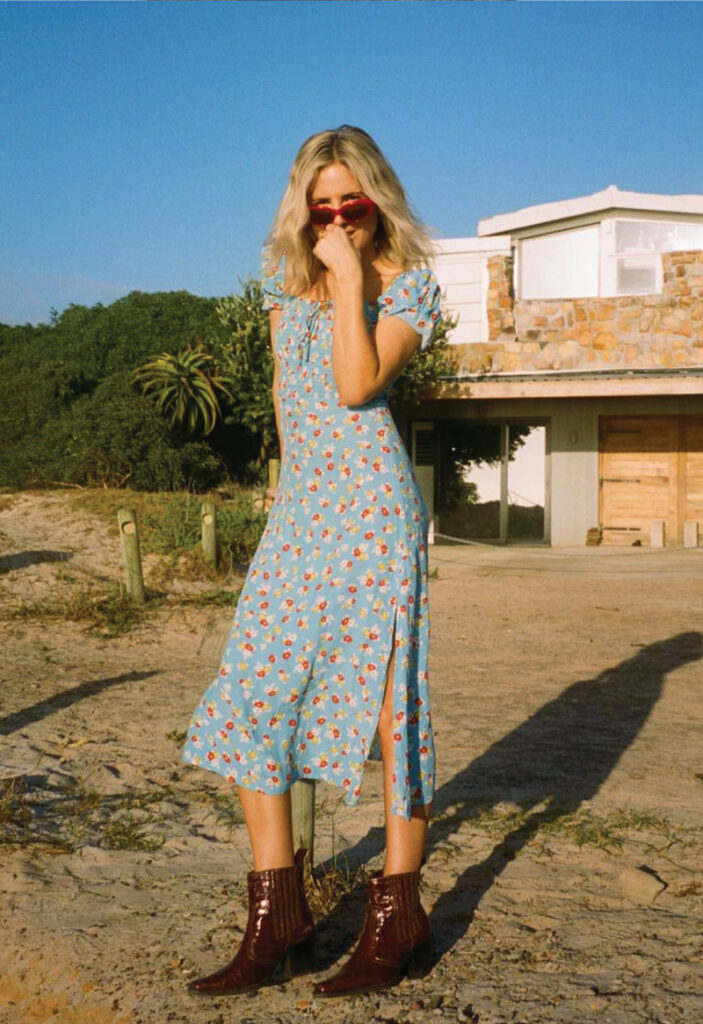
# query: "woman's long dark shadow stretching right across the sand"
548,766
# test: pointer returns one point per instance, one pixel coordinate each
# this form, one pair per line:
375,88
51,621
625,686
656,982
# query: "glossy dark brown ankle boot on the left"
280,930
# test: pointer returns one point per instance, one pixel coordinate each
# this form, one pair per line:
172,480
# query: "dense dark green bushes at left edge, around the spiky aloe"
69,412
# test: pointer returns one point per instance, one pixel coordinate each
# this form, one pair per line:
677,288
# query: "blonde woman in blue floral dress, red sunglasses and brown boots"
330,641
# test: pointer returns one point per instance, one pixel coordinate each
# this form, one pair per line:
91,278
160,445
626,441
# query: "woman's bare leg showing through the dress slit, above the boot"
405,840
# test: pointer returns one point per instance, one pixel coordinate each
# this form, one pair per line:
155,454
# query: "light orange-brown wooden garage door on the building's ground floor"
651,470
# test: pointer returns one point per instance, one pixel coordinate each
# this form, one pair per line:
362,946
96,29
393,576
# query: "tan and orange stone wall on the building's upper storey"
632,332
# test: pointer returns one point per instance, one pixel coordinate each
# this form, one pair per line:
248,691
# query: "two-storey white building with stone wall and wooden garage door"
578,402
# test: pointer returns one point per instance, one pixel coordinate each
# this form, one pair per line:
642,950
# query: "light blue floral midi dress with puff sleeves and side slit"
338,582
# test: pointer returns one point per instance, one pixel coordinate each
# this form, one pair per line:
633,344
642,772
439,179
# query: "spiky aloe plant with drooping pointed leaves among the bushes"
187,390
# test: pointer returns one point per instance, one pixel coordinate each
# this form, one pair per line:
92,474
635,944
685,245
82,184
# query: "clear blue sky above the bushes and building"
146,146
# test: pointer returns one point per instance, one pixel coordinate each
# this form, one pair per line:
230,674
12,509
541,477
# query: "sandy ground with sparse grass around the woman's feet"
564,874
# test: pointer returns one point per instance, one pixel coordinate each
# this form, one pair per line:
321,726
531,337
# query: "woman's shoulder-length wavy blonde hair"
401,237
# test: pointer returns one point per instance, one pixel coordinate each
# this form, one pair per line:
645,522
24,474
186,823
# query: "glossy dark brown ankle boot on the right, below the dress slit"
397,940
